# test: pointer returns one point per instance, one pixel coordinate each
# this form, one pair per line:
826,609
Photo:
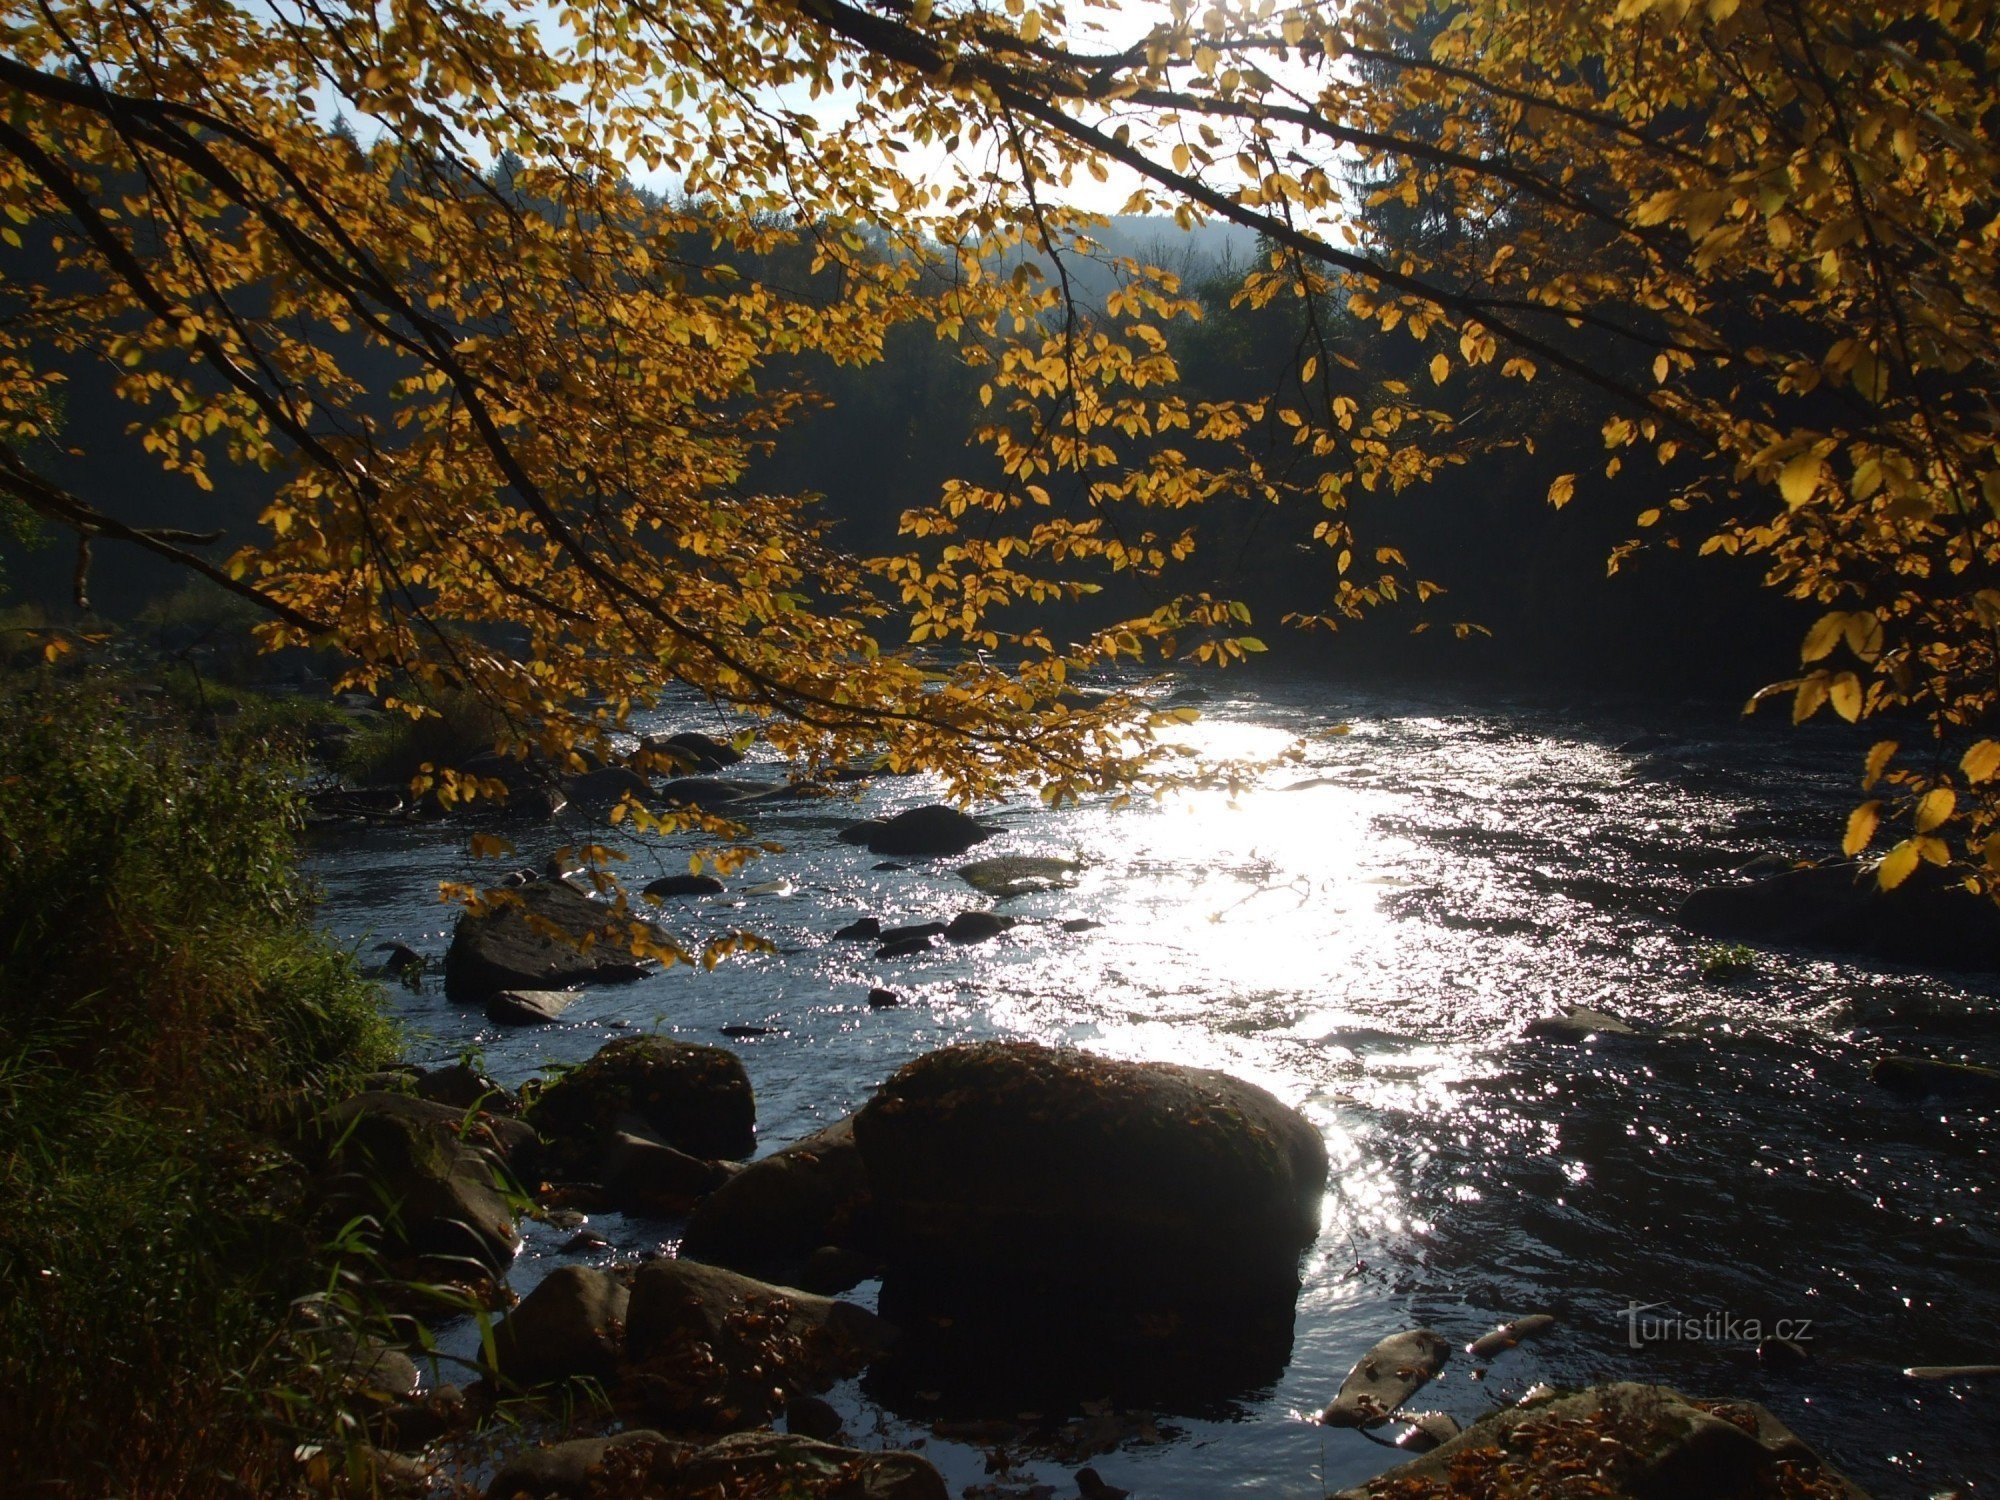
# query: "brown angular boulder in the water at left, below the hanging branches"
539,937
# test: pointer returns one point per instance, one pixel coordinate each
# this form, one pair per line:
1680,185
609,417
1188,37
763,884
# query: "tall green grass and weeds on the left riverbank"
165,1011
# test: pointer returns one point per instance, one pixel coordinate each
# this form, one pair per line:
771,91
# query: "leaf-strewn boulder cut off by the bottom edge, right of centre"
1623,1443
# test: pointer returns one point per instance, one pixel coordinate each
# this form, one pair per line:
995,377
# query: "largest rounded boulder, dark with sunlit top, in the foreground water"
1011,1163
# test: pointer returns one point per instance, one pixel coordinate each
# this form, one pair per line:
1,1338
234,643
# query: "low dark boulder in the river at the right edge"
1839,907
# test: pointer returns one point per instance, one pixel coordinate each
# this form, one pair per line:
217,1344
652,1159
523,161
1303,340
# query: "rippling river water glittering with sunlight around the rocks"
1367,933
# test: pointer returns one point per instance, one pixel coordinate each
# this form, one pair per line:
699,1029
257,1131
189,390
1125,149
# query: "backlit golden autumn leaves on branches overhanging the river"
1763,233
